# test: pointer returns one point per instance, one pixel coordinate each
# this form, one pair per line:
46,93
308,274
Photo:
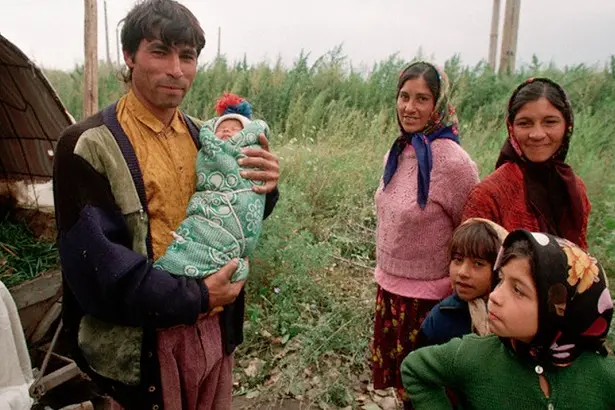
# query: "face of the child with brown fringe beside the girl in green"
470,277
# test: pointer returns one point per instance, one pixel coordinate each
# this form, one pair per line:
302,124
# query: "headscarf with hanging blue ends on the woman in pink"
442,124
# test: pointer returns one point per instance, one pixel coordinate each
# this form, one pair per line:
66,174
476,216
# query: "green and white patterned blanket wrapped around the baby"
224,216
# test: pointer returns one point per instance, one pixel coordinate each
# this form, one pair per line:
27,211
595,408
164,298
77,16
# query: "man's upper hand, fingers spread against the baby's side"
267,162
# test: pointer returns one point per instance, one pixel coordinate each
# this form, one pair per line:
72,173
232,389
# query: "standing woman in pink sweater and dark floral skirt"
426,181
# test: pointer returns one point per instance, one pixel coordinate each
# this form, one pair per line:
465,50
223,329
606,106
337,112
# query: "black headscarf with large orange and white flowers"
575,308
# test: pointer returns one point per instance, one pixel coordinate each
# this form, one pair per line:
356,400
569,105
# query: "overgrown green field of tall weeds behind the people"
311,292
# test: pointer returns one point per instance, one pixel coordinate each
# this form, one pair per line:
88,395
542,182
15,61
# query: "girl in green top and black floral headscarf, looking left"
550,315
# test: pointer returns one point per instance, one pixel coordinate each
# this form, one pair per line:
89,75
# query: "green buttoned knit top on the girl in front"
484,374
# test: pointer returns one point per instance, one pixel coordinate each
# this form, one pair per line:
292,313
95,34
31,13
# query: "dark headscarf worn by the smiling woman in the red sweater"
552,192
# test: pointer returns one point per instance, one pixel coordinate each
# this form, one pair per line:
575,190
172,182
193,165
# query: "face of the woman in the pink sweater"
415,103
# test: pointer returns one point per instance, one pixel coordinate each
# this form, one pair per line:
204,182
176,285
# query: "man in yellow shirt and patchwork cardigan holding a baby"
122,180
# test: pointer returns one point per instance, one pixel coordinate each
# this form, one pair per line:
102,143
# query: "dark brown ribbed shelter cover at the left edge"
31,117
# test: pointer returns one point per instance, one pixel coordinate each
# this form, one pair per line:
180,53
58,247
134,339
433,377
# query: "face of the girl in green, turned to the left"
513,305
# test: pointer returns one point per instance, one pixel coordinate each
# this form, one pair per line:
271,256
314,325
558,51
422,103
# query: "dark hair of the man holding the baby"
164,20
